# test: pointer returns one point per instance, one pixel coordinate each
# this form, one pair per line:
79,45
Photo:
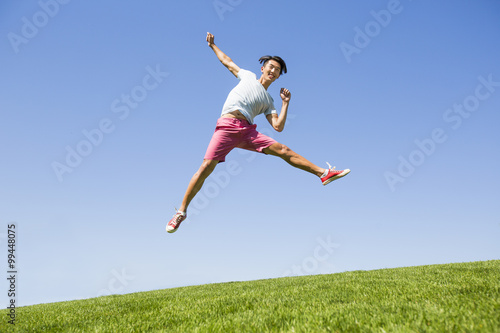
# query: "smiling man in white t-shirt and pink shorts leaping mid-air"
235,127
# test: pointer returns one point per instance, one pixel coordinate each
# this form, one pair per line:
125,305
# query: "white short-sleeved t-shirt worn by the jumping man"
249,97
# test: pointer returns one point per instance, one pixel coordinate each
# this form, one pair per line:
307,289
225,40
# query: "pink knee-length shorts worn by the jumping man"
235,133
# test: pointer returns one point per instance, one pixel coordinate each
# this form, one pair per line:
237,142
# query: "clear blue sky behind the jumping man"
404,93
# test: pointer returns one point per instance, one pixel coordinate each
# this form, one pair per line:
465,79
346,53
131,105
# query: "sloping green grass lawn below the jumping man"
461,297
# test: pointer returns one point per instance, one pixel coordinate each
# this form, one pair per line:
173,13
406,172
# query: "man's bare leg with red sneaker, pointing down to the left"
206,168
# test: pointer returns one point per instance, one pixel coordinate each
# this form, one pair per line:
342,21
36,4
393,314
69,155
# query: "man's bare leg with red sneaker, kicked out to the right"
295,160
